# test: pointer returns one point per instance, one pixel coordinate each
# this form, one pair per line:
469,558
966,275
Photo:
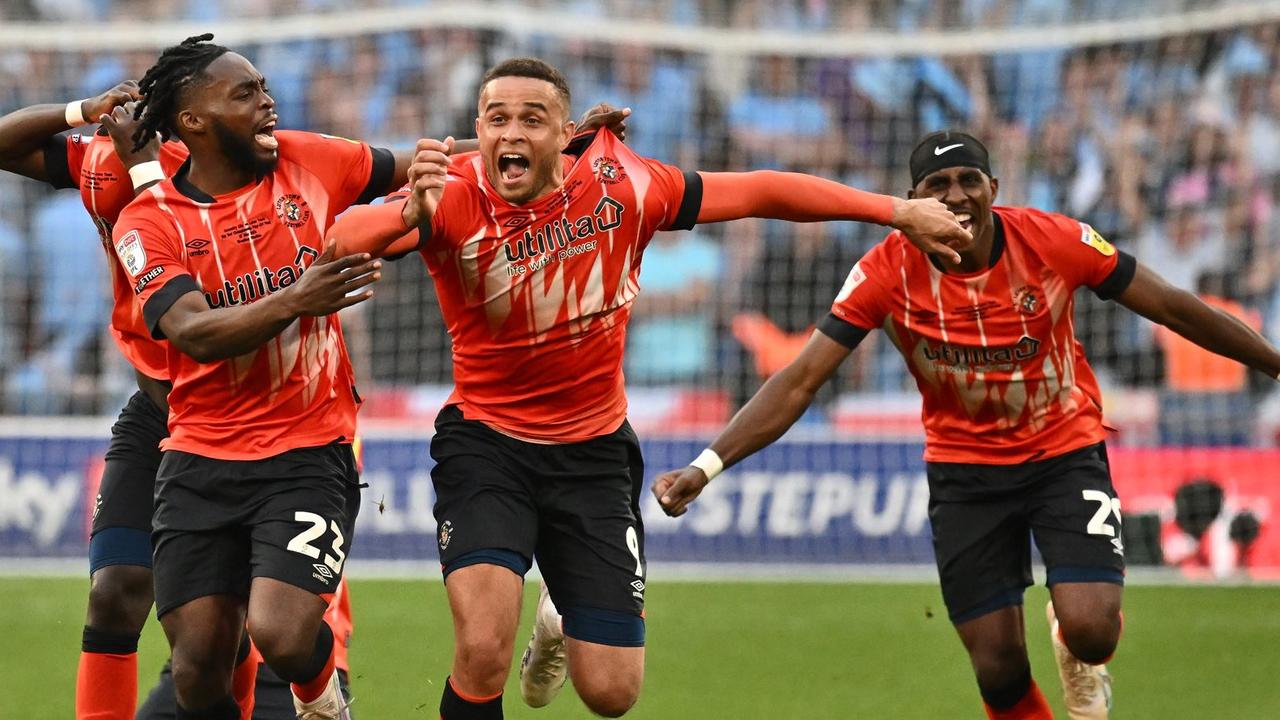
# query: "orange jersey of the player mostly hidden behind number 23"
90,163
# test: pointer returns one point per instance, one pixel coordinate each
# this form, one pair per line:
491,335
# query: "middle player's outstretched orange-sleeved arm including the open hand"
807,199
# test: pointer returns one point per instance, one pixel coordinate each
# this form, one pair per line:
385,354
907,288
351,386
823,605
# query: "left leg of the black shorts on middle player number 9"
484,499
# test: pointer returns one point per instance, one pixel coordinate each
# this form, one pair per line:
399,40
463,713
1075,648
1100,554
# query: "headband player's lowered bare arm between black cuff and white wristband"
781,400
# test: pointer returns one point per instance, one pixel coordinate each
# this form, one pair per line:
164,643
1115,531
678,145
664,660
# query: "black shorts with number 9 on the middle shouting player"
574,508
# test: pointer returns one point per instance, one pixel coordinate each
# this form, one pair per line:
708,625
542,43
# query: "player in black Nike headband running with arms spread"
1013,417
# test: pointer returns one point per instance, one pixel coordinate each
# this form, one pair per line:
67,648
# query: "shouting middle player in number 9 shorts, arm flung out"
536,259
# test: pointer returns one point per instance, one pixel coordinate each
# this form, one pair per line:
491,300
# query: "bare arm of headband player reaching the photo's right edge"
1214,330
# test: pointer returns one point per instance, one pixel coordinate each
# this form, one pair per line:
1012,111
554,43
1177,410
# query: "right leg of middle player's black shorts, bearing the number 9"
591,548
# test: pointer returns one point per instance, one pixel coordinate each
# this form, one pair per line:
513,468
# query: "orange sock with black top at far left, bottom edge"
107,680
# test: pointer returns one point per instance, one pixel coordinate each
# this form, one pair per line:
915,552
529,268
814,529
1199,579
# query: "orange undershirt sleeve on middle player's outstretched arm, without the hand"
789,197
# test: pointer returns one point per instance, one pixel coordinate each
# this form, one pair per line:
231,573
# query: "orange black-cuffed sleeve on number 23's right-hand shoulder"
353,172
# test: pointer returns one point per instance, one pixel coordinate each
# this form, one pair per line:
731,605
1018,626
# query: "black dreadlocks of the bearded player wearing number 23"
166,81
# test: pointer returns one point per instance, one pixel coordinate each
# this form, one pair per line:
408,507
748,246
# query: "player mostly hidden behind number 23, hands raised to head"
33,143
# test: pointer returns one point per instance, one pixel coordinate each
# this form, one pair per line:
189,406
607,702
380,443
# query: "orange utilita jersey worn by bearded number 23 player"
295,391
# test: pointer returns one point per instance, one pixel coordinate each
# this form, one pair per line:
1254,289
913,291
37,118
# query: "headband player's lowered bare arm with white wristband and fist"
775,408
